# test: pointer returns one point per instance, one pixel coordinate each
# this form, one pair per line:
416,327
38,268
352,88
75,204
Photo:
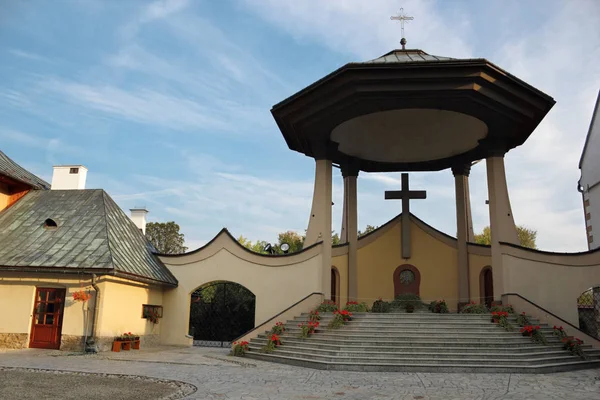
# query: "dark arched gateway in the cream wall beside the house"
220,312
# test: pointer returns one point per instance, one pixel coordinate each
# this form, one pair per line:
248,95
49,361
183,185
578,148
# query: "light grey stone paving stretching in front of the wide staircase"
217,376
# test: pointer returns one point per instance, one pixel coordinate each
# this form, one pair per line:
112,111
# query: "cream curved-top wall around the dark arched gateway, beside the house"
277,282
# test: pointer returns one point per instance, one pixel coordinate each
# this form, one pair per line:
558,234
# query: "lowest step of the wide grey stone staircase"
460,367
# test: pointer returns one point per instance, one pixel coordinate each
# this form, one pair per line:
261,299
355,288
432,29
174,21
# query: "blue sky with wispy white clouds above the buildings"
167,103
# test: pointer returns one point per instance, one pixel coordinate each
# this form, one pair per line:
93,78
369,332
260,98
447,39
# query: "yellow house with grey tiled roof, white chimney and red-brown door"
75,270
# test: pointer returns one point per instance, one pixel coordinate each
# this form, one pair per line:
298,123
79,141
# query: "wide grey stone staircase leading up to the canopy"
421,342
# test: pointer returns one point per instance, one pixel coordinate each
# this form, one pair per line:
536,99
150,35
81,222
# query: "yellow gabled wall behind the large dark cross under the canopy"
435,260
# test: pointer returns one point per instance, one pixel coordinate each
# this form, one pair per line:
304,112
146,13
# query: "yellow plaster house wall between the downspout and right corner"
121,307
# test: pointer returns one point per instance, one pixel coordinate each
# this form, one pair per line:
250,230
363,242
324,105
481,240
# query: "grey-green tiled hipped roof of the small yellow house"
92,234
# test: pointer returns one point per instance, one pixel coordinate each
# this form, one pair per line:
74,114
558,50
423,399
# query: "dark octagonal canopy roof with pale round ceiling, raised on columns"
411,111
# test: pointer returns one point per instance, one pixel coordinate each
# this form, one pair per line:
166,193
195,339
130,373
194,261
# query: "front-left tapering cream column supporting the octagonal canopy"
319,224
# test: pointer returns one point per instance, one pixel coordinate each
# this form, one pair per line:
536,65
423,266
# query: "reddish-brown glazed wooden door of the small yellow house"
47,318
